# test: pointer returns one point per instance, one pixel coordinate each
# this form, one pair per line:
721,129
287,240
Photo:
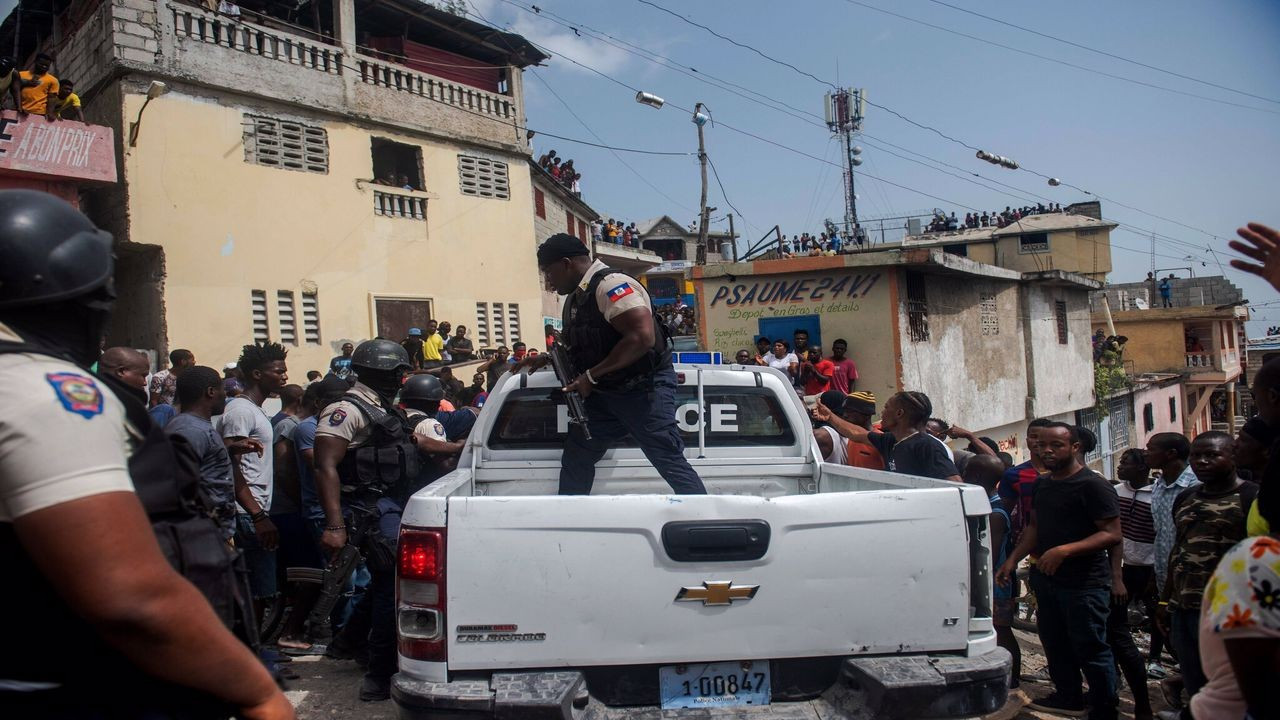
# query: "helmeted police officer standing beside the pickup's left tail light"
365,450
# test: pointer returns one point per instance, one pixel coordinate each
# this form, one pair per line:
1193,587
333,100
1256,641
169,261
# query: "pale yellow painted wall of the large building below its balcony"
228,227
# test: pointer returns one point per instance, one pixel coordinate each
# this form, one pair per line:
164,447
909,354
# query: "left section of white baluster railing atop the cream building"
253,40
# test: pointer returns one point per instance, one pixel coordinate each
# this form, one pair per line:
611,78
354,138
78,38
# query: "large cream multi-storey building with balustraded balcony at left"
289,183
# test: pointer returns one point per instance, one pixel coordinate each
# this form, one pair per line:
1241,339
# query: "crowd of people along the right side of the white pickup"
1181,546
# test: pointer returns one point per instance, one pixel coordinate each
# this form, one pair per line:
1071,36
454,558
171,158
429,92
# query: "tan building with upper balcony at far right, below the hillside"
1200,344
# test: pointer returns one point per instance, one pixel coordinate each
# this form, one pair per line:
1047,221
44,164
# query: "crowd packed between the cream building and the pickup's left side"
262,471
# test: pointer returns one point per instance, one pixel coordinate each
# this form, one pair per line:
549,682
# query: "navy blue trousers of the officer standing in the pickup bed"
650,417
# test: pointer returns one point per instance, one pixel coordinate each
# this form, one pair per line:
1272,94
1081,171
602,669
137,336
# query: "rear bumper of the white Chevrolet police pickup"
916,686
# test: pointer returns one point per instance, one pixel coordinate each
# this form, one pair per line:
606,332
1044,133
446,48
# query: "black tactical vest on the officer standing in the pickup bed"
589,339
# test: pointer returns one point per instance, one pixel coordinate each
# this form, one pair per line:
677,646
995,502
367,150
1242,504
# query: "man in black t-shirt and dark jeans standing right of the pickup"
1076,518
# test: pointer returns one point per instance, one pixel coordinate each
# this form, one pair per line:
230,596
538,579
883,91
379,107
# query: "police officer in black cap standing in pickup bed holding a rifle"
624,363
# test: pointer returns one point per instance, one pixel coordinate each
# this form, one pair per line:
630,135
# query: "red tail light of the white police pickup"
420,619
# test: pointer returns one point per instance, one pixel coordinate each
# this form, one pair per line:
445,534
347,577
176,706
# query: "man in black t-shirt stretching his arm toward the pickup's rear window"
904,444
